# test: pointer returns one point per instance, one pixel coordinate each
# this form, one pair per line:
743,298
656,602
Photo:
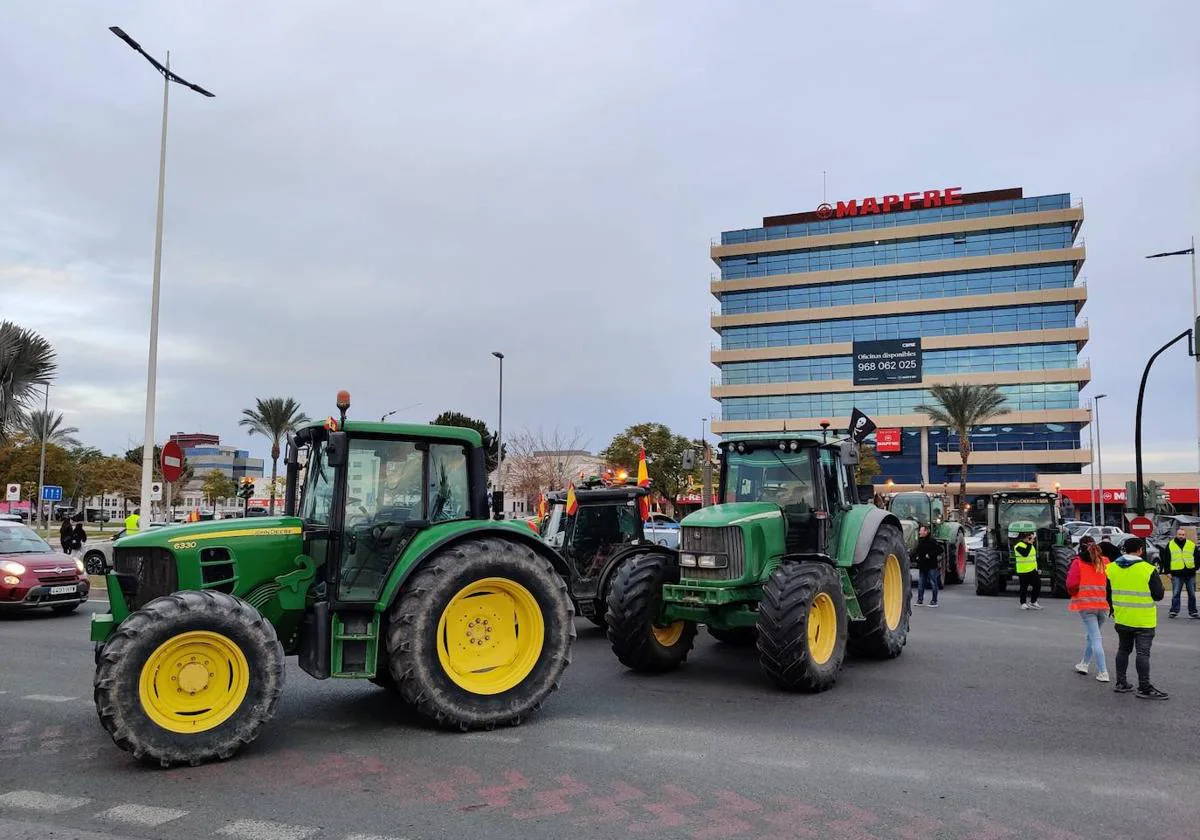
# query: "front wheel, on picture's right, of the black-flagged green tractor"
803,627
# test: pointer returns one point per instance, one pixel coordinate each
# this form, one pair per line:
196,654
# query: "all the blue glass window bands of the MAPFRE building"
937,291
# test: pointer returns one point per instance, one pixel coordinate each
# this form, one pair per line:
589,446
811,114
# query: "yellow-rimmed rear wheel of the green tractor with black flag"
881,585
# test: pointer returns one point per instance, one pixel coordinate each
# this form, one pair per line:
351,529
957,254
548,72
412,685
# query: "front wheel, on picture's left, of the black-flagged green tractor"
635,598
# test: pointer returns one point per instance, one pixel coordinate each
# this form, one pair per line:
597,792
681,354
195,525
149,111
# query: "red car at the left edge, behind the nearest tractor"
34,575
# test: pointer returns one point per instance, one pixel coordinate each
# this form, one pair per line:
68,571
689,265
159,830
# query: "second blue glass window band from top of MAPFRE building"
941,247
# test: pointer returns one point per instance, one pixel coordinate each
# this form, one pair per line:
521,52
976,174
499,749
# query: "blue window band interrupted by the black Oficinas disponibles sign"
964,361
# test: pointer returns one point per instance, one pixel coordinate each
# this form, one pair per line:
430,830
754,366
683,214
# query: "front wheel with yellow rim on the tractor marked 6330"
189,679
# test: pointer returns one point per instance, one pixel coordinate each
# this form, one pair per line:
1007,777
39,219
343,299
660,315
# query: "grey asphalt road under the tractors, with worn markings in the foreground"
981,730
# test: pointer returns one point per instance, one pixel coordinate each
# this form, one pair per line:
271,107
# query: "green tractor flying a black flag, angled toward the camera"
788,562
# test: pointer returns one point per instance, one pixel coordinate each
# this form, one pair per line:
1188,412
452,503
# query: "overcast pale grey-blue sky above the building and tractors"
381,195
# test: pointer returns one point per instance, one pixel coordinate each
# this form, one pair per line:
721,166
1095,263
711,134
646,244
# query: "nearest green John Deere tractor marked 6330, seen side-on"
385,567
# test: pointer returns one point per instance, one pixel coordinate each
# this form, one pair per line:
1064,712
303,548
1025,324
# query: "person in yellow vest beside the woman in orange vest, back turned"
1132,589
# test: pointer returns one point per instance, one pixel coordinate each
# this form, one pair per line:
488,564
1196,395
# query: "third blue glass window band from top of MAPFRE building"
920,287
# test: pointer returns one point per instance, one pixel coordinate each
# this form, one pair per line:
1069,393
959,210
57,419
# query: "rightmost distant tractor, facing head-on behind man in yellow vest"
1010,515
